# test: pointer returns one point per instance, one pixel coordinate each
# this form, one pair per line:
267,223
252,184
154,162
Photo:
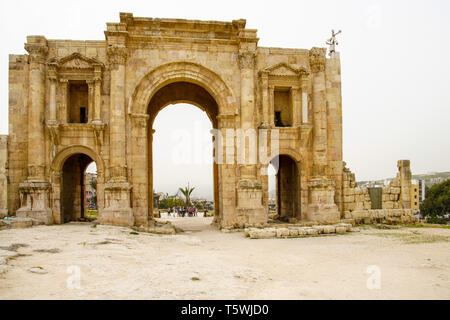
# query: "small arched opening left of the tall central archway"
78,188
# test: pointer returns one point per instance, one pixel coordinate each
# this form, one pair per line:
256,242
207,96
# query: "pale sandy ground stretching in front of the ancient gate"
204,263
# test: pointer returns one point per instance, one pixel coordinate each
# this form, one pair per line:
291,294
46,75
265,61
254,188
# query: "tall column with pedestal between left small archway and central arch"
117,190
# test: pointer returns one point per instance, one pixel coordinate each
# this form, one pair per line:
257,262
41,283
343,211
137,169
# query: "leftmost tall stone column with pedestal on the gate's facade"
35,191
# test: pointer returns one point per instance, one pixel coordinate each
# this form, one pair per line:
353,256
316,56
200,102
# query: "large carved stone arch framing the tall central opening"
169,84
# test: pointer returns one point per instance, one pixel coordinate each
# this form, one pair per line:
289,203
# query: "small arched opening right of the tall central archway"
284,188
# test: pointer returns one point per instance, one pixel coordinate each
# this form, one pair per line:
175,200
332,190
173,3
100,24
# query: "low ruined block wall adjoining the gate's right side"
357,203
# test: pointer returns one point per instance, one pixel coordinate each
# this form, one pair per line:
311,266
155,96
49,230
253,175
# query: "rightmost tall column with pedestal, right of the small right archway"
321,202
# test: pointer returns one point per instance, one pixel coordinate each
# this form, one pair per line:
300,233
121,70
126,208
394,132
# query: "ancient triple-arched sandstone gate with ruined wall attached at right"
74,102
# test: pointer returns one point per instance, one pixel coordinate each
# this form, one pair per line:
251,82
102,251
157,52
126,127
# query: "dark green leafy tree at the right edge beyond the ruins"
437,201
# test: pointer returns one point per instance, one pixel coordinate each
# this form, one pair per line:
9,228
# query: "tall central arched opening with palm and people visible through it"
182,115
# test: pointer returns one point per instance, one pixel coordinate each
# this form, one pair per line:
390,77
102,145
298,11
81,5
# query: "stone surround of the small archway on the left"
60,164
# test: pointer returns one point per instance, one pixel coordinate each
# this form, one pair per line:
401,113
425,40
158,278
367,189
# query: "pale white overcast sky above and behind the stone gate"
394,54
